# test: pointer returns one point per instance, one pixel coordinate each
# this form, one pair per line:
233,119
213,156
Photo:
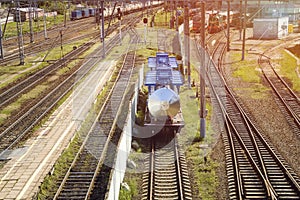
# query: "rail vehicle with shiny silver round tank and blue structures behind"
163,82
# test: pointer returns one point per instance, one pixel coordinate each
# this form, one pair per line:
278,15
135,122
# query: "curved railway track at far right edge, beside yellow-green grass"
287,99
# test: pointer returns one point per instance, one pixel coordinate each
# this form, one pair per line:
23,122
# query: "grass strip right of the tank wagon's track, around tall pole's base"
204,175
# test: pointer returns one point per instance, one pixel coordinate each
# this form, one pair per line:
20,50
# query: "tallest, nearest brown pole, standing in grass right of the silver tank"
202,75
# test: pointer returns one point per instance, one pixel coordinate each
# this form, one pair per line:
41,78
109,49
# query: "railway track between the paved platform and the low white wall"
82,178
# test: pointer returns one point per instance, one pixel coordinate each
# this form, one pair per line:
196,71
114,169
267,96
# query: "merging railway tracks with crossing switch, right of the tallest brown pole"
254,169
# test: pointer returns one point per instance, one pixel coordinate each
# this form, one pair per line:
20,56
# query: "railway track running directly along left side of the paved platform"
19,127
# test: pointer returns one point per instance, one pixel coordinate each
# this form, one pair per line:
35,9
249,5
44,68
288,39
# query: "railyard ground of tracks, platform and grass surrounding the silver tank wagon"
250,123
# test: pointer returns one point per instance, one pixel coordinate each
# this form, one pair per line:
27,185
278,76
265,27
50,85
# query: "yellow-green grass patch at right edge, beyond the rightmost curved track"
288,69
